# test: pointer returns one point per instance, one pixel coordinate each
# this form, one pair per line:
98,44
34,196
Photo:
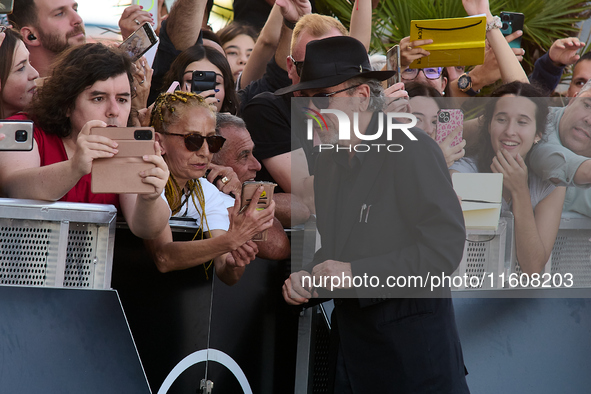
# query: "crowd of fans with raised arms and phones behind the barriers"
209,142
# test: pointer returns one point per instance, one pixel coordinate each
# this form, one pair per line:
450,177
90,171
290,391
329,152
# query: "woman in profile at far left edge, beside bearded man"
17,76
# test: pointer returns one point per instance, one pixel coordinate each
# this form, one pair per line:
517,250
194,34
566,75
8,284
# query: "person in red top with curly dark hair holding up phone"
91,86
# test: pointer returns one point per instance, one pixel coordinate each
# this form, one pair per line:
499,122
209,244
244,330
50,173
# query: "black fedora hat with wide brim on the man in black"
332,61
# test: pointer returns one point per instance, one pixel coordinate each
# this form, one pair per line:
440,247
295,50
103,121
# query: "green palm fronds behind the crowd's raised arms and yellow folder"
545,20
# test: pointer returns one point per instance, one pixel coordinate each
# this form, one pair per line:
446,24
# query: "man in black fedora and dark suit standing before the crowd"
385,216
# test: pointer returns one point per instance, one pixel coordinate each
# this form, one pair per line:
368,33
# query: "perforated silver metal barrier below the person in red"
56,244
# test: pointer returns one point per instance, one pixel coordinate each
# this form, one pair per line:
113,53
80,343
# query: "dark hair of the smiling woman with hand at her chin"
483,151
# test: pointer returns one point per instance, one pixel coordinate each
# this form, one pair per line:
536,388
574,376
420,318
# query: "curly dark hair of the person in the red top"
74,70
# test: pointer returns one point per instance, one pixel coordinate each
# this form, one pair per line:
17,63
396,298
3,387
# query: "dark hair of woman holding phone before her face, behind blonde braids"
200,52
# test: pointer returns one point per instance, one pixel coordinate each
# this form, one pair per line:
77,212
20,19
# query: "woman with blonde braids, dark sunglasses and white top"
185,124
